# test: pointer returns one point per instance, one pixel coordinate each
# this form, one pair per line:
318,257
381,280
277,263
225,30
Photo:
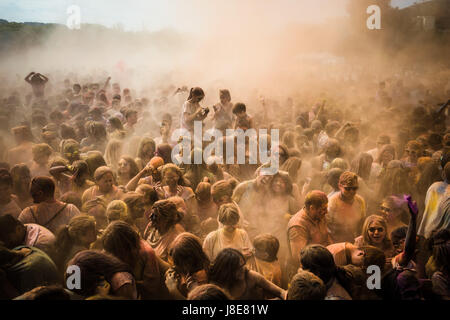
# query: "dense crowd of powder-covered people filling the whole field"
95,205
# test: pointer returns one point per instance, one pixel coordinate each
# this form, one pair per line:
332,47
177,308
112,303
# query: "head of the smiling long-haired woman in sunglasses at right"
374,232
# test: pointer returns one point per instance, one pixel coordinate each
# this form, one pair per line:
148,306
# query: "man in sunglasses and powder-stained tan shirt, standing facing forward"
346,210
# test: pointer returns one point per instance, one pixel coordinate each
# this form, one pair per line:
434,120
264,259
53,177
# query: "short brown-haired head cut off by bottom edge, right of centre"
306,285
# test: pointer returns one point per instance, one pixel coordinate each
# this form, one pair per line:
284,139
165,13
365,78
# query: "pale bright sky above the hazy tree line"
182,15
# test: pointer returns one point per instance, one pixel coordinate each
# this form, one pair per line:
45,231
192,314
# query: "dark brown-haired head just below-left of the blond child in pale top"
187,255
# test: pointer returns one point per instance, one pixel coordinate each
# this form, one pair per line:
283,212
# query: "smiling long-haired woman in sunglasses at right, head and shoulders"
375,233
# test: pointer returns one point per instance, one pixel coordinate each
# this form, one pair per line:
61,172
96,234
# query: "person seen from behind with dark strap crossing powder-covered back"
47,211
